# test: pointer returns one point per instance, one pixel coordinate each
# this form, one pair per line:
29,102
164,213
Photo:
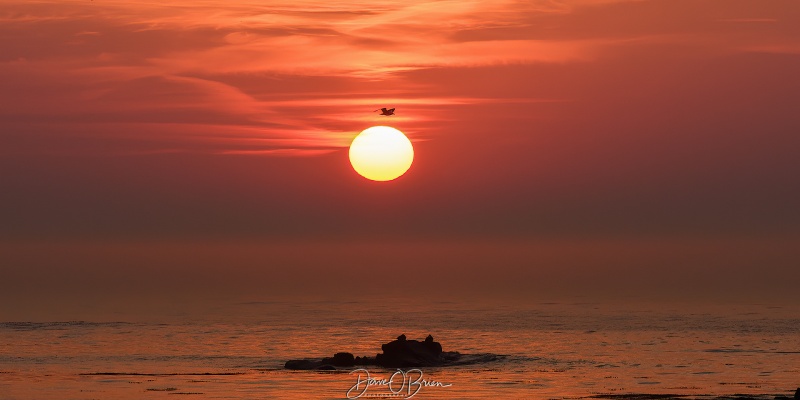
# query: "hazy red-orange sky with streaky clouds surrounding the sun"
199,149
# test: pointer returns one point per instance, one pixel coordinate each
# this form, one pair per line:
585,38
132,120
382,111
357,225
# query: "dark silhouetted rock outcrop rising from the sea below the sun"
400,353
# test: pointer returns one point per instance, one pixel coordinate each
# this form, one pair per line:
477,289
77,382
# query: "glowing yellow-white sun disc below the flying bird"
381,153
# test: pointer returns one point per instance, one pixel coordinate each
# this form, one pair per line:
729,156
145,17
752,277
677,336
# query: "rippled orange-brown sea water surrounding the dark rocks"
554,351
